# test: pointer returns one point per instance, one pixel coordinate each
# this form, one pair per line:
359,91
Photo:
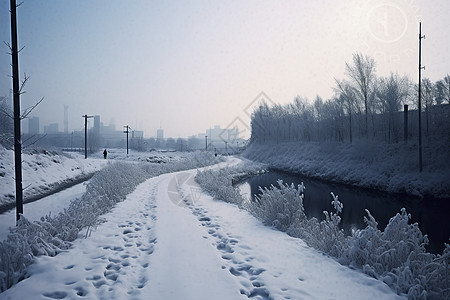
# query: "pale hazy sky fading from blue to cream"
189,65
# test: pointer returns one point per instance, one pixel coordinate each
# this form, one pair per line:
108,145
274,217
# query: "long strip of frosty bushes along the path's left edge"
52,234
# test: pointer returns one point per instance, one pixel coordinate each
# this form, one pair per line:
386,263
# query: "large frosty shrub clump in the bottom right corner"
398,257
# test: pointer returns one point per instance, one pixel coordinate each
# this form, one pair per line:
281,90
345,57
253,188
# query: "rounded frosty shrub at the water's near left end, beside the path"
279,206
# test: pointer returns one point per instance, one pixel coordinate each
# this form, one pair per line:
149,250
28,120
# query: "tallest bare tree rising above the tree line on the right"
362,73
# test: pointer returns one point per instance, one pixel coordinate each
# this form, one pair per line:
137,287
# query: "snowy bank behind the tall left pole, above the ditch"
43,172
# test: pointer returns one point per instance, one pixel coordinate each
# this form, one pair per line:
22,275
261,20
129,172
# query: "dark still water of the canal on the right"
432,215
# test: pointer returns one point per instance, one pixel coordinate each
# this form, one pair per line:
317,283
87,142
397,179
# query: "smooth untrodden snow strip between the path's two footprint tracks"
184,265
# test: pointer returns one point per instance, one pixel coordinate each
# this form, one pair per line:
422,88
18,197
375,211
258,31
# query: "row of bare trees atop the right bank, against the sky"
363,106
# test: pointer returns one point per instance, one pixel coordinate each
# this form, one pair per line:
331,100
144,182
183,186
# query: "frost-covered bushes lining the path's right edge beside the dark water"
395,255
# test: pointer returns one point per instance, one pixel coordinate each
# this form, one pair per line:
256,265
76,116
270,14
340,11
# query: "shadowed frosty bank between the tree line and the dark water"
384,167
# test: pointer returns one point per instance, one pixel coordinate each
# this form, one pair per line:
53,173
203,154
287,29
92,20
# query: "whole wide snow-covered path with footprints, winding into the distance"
168,240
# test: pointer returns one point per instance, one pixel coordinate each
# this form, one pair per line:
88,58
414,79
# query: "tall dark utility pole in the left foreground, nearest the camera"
16,100
